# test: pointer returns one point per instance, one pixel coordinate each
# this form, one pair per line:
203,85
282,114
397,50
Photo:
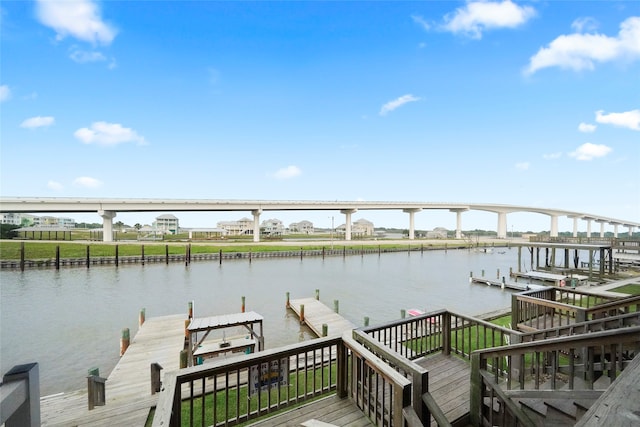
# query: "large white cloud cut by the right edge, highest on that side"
579,51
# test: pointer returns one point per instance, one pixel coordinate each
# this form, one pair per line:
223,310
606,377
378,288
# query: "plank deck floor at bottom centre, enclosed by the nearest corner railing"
328,411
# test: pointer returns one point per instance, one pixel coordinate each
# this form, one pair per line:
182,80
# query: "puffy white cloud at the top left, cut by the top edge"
78,18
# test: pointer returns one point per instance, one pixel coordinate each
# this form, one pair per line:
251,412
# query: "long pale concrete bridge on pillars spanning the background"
108,209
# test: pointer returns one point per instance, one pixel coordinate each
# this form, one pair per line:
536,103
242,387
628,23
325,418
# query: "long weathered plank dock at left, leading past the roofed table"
128,387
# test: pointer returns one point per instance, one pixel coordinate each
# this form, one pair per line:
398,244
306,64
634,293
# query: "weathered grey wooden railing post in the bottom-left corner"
27,413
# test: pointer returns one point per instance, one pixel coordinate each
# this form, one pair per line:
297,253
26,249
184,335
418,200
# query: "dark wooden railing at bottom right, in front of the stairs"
572,363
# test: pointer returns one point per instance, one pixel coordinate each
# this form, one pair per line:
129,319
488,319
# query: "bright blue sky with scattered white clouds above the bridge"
527,103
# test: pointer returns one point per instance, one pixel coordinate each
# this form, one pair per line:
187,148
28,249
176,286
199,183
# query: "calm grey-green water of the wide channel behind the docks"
71,320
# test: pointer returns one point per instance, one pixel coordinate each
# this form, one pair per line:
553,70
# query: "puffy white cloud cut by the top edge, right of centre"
479,16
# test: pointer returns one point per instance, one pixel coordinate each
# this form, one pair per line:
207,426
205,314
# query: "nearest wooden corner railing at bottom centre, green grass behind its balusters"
238,389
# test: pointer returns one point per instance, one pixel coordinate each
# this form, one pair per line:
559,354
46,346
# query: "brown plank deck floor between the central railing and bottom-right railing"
449,384
